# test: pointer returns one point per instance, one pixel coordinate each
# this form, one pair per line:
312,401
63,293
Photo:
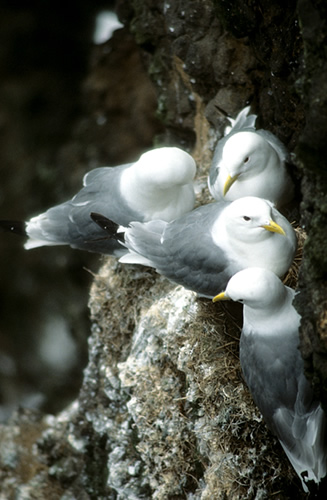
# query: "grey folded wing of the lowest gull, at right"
275,377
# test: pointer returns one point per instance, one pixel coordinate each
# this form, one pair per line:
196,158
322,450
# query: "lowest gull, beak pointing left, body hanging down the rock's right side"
273,369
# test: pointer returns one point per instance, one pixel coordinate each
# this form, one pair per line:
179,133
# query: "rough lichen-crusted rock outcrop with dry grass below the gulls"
163,411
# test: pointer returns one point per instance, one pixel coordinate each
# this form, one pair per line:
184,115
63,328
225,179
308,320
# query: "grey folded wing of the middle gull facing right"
185,253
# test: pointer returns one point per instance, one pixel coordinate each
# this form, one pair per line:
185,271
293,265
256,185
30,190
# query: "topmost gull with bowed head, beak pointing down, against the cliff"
250,162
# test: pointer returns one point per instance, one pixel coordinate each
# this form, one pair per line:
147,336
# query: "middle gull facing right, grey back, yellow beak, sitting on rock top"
205,247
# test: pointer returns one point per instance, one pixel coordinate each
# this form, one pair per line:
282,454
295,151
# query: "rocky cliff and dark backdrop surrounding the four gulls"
160,410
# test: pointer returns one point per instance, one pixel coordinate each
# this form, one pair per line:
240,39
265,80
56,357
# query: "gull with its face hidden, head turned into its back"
158,185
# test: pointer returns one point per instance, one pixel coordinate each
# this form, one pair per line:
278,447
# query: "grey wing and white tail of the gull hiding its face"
70,222
